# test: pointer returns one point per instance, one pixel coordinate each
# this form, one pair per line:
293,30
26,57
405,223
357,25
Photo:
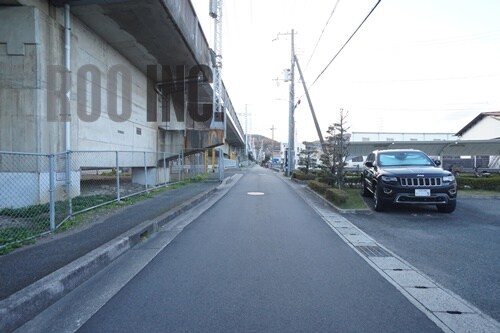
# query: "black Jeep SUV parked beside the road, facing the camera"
407,177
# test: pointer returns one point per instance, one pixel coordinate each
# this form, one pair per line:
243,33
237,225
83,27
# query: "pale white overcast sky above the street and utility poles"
414,66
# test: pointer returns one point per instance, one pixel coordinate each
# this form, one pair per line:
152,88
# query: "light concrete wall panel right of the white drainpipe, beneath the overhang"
127,133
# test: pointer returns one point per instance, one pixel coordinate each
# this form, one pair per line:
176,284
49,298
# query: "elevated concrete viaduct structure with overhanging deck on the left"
107,76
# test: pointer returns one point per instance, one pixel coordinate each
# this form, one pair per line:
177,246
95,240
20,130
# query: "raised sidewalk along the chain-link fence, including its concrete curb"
35,276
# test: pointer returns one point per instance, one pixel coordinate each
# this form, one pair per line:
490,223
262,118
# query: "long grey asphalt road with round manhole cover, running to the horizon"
259,260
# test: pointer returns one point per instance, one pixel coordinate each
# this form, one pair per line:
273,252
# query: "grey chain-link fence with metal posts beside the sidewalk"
39,192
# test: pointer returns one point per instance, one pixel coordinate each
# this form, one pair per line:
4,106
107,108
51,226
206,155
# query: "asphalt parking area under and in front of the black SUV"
460,251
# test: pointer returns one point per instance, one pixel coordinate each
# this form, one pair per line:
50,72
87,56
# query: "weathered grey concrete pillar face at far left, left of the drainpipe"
20,81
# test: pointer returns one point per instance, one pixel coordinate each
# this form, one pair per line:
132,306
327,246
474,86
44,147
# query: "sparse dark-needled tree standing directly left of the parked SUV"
337,149
